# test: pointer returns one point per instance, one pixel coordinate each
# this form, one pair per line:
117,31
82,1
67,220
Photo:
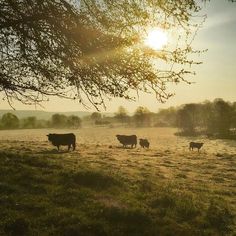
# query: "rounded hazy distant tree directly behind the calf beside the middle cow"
142,117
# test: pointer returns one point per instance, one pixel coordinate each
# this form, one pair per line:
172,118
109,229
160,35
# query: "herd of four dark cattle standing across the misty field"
126,140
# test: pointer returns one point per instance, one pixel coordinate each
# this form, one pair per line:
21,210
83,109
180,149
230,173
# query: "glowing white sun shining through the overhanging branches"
156,39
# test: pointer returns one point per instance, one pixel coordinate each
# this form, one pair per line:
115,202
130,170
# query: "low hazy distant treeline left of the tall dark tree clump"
142,117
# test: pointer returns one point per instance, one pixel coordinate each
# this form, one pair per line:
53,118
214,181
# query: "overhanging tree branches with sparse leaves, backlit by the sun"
88,50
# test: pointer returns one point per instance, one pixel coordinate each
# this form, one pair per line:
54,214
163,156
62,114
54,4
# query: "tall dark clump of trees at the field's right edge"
217,119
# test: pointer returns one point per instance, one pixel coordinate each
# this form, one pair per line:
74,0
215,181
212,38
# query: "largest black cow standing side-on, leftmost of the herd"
62,139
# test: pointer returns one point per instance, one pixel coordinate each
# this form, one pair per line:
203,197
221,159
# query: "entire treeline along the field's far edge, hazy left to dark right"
217,119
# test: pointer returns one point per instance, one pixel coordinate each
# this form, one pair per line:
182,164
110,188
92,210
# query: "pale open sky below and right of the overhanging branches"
215,78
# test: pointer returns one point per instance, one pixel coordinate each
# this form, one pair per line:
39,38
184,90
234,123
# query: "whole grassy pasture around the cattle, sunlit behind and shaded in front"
102,189
